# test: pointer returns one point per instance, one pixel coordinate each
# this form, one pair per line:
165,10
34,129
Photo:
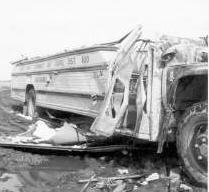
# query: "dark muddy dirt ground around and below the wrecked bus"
22,171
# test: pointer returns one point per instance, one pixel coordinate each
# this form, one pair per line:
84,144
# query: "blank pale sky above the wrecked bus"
31,28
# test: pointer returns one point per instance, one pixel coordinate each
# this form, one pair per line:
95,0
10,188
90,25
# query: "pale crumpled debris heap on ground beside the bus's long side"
41,132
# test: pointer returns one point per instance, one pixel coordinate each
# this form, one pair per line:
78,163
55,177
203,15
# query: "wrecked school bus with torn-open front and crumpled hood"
151,90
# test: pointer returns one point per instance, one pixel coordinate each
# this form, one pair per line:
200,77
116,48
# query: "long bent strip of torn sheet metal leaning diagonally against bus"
121,69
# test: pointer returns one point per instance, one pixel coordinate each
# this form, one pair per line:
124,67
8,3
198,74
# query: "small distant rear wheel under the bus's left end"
31,103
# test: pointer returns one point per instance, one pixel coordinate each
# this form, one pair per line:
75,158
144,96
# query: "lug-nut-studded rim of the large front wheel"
199,146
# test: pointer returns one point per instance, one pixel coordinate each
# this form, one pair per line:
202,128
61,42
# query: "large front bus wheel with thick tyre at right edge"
192,142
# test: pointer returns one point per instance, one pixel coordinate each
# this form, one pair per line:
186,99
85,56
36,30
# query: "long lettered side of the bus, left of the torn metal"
74,83
